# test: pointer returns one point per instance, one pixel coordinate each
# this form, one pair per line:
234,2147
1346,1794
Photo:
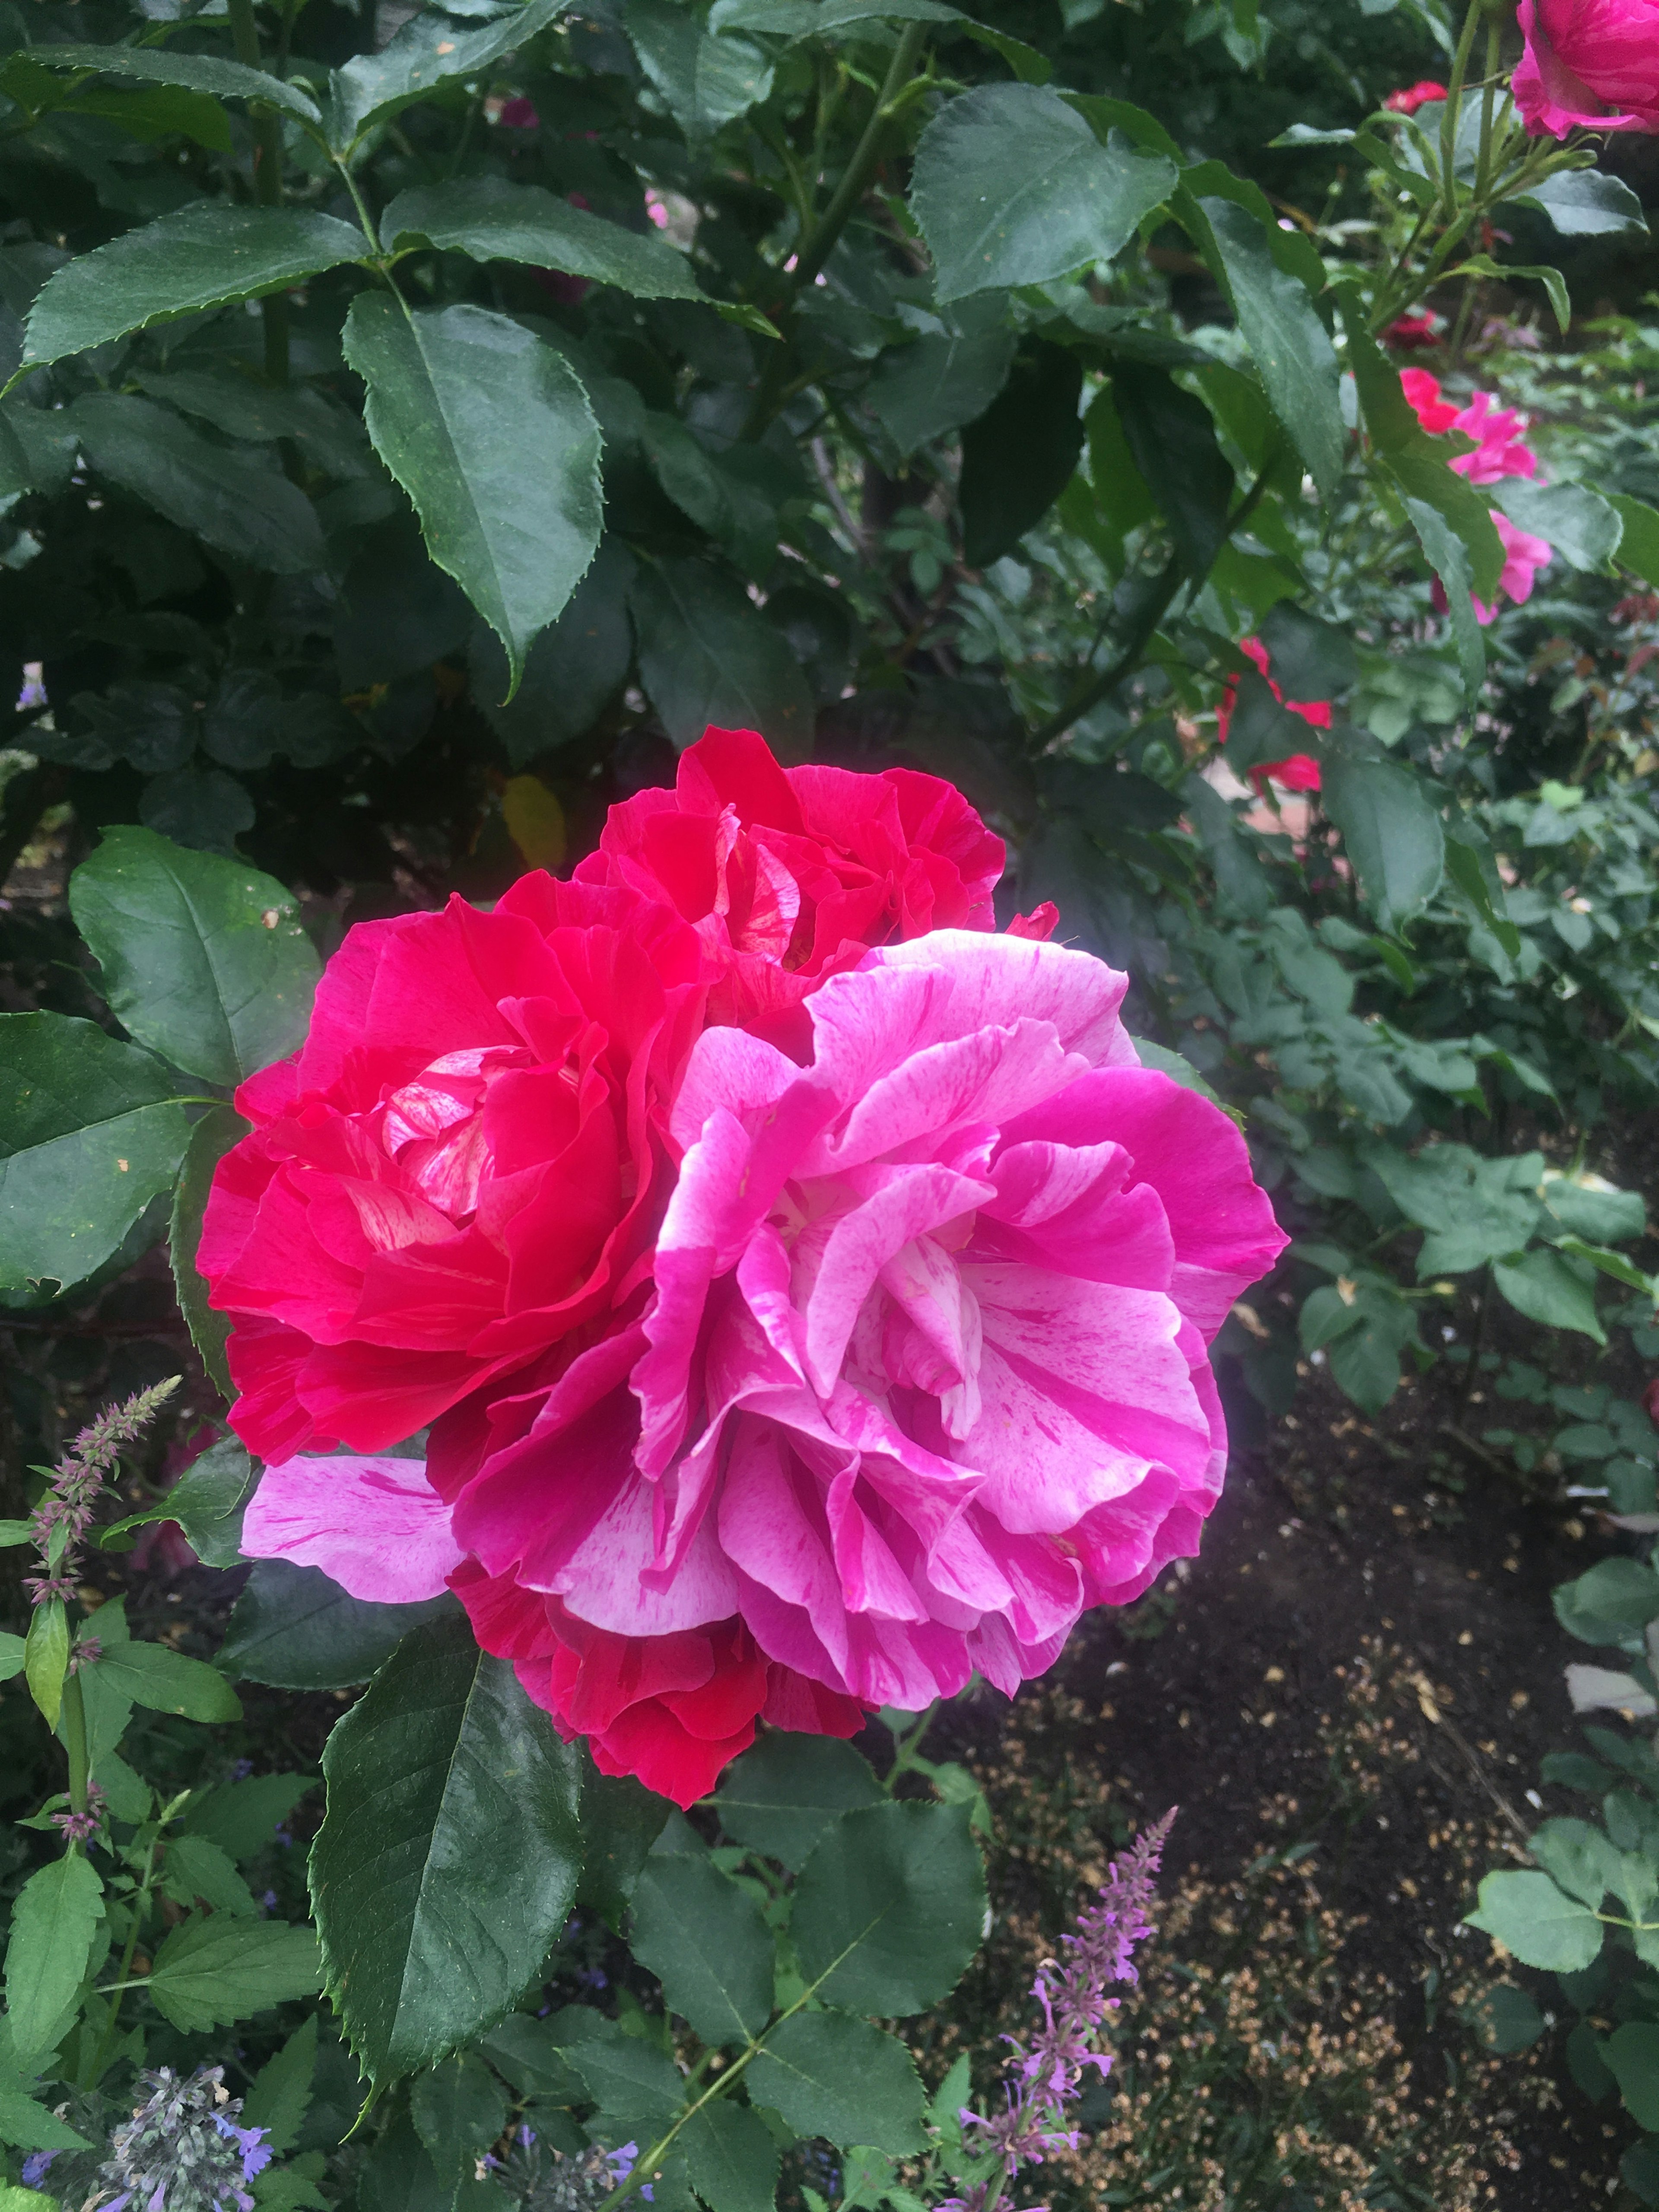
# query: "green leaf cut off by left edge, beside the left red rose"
90,1136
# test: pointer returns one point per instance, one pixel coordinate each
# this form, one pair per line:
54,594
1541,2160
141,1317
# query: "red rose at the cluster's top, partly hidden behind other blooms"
791,875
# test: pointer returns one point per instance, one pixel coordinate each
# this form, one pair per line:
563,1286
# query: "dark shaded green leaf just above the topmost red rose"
709,658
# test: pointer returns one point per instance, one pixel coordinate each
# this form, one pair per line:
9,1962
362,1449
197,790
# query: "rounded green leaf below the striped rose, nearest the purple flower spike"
890,1908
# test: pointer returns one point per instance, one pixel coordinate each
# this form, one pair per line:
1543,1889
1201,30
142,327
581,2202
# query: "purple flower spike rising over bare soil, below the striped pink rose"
1047,2069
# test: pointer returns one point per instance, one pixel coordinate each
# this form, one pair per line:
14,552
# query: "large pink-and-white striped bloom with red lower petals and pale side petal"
921,1377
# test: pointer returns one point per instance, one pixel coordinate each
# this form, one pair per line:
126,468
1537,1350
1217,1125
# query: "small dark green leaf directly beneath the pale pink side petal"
300,1631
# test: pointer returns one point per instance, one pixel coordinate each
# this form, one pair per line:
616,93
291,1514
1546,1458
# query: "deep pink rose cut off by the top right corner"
1589,65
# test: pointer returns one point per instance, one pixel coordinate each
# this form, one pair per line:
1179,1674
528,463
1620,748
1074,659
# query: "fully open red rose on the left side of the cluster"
463,1165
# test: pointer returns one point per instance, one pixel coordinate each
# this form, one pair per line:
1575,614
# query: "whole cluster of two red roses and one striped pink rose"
804,1286
